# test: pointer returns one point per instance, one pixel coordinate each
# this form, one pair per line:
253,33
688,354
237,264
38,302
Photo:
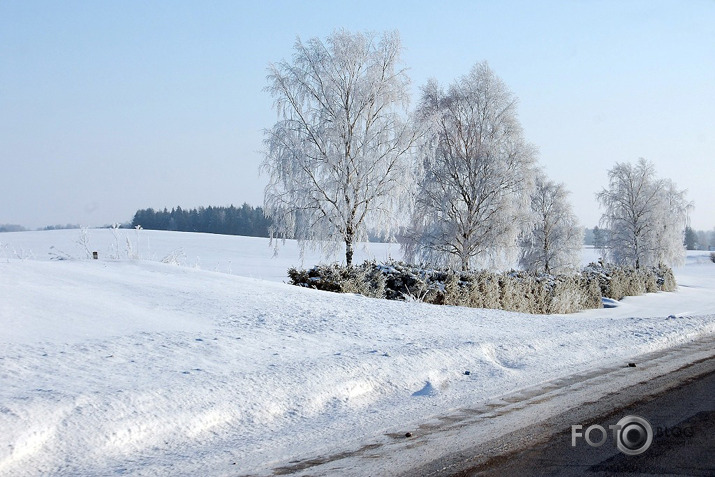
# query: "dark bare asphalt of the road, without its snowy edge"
683,424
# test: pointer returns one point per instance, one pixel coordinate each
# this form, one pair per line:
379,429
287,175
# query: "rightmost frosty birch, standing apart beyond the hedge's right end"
646,216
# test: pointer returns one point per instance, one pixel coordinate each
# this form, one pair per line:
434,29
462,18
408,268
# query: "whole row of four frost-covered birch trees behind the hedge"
454,180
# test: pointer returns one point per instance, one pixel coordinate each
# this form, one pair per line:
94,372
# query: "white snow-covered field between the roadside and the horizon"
215,367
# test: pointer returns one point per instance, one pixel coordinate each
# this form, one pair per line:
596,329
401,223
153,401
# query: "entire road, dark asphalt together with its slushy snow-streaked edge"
528,432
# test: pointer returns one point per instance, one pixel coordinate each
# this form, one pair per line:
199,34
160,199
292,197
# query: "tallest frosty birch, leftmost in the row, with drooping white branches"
338,158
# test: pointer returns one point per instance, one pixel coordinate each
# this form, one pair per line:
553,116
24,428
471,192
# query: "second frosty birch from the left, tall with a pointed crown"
477,173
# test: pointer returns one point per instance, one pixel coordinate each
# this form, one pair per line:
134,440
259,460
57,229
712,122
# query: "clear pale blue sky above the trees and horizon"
108,107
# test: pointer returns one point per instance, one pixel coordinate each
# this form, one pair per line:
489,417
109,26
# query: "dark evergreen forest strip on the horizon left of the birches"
244,220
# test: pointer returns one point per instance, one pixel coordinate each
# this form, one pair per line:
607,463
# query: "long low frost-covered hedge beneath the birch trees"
513,291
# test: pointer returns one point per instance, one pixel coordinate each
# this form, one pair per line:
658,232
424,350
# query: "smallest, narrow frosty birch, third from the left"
554,243
